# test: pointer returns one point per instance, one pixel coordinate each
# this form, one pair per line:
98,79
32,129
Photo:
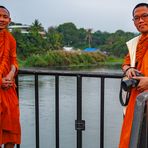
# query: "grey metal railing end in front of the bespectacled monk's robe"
139,137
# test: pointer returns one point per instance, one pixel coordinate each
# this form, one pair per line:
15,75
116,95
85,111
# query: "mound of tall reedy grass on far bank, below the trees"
64,58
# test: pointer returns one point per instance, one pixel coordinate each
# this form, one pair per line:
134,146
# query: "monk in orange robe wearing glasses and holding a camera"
136,62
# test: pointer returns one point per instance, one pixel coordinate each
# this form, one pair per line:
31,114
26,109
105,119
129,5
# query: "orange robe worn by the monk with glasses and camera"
141,65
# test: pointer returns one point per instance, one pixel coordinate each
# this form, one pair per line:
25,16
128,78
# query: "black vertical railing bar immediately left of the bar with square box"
57,110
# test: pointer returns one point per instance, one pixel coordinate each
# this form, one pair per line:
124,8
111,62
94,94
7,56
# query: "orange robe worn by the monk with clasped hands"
10,130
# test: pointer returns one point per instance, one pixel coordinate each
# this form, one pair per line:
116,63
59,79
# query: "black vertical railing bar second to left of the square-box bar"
37,111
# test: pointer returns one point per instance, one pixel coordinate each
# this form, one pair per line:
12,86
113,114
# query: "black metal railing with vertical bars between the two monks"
79,123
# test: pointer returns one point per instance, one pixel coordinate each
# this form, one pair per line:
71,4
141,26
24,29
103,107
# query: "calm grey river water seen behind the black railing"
91,111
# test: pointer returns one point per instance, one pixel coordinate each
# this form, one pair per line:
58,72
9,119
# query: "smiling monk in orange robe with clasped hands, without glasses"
10,131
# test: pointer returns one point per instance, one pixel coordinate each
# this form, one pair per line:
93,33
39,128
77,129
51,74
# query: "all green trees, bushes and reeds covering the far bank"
41,48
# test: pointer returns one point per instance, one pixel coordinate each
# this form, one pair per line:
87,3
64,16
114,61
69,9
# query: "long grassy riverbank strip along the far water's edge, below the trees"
70,60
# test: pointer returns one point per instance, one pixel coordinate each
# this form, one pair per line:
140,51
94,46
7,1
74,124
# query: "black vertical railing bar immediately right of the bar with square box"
102,113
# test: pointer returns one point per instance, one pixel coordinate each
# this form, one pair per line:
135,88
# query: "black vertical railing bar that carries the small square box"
79,109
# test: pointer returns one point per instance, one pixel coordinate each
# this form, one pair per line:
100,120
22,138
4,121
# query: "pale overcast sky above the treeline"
103,15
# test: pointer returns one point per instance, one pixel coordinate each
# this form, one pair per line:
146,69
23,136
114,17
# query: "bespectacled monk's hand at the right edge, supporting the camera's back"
143,83
